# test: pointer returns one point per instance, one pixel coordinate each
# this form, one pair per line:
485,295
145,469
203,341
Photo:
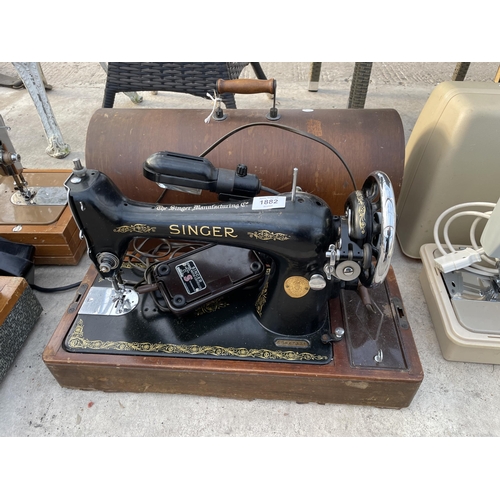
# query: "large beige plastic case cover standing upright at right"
452,157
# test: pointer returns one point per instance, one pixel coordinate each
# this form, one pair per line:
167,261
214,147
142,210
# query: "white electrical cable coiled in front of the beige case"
476,268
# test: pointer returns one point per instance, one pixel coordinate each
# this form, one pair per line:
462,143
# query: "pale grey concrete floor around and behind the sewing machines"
455,399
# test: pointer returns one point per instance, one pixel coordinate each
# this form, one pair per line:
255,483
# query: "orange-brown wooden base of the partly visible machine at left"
56,243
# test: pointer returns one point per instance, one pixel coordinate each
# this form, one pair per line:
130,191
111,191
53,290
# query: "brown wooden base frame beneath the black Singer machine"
337,382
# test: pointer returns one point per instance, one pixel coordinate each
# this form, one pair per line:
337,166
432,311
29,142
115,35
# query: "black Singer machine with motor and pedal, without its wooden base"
273,264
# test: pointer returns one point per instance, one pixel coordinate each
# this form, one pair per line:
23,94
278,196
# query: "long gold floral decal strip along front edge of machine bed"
78,341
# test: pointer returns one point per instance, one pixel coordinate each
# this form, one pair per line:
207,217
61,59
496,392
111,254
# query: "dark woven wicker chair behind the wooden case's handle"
189,78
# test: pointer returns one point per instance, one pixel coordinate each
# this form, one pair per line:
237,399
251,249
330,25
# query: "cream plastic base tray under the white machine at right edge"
458,343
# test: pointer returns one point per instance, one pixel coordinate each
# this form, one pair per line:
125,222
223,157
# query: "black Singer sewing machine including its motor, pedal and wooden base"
274,296
